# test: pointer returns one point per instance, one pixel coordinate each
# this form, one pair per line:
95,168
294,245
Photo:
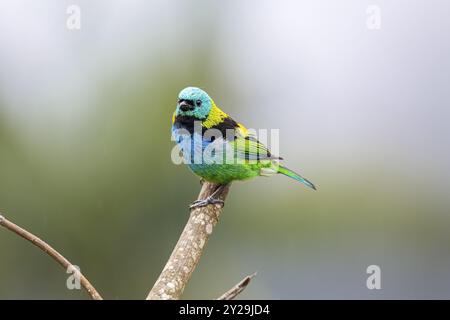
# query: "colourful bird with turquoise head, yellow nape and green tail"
227,154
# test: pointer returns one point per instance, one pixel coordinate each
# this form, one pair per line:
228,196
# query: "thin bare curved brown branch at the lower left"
52,253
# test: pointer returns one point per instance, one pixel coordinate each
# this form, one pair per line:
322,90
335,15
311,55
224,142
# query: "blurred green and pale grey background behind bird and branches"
85,145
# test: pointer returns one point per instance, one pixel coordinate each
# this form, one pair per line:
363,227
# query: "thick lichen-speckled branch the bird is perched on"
189,248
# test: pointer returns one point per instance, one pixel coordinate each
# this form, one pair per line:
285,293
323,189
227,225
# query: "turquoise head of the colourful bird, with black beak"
193,102
